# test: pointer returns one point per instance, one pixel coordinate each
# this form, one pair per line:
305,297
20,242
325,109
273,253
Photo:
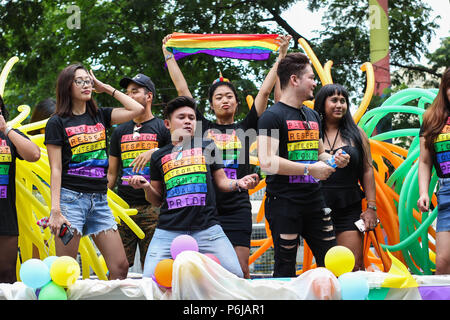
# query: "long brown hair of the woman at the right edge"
435,117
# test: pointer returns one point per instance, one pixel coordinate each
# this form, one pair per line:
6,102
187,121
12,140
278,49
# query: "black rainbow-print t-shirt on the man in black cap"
127,144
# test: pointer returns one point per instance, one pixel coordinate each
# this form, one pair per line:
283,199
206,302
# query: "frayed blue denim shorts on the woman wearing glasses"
88,213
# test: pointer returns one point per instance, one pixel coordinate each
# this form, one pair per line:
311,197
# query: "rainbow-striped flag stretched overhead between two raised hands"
235,46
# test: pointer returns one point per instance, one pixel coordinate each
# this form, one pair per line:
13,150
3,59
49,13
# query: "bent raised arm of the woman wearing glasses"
131,109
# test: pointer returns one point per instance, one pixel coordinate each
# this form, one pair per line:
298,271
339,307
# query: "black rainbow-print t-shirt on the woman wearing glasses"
83,139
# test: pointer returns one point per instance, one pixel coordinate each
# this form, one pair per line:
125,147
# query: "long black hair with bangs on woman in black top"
349,130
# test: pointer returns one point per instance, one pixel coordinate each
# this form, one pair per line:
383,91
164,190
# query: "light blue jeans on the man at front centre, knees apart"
211,240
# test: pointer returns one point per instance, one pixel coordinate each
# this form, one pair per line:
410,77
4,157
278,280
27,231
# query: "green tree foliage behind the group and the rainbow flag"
123,37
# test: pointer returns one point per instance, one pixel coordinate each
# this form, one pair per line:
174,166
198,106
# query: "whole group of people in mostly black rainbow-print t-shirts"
185,174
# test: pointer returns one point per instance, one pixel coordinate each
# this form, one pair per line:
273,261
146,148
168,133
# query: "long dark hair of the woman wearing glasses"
64,92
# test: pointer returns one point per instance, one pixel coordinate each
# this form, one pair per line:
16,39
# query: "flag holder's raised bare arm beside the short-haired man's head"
262,97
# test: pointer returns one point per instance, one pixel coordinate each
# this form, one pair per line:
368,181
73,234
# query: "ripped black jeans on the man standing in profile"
288,218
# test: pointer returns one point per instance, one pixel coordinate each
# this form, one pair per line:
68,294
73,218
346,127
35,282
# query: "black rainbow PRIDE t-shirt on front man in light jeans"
189,201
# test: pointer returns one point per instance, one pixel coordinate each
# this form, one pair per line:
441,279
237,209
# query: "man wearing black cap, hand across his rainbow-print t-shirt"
132,144
